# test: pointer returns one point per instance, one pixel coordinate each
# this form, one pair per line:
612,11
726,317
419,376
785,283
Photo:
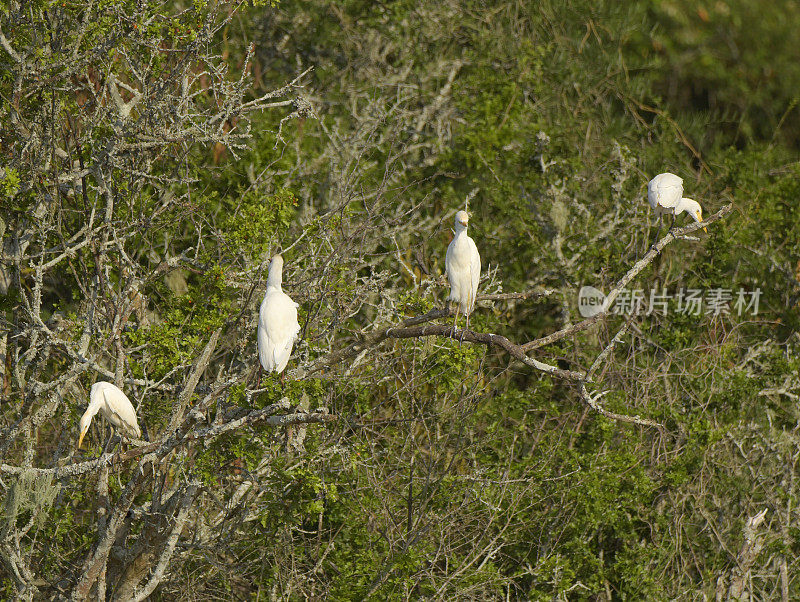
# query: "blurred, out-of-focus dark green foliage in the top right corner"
713,58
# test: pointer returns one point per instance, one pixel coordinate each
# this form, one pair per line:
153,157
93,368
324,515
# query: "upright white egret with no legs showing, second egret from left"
277,322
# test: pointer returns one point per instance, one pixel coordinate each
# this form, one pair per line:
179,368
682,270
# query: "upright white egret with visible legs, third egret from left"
463,265
